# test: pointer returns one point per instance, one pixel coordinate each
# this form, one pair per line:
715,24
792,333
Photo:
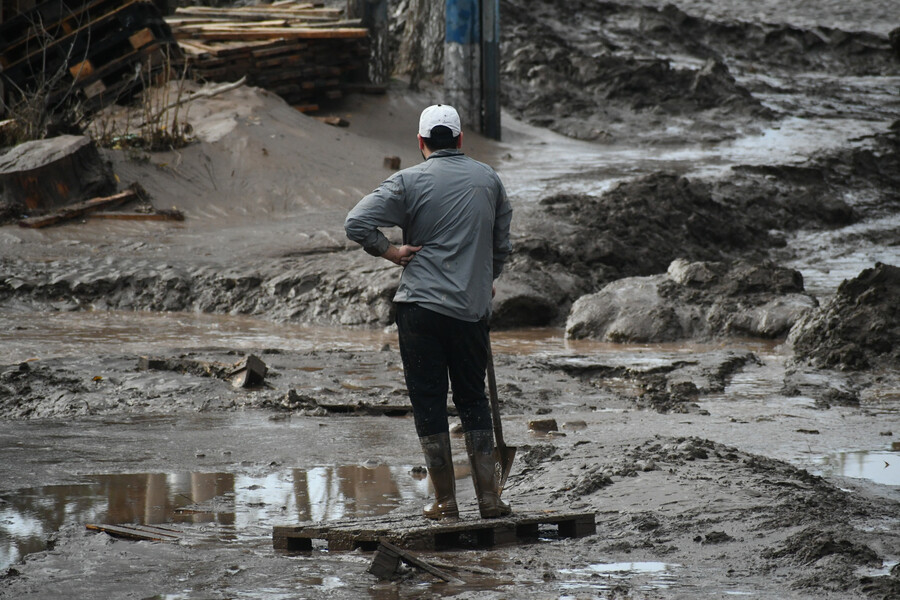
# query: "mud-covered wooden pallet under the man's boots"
417,533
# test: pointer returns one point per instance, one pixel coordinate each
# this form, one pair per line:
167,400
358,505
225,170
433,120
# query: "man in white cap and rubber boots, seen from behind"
455,218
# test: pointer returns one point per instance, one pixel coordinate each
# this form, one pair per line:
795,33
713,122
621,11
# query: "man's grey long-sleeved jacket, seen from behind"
456,209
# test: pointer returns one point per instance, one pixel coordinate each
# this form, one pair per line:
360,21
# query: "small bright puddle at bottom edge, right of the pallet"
605,576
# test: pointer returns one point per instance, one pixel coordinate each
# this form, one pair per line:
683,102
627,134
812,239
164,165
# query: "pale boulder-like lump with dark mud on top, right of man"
694,301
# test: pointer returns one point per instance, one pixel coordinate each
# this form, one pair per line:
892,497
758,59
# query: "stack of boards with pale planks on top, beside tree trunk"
306,53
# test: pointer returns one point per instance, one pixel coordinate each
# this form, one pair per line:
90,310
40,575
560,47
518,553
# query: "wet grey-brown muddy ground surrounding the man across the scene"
755,138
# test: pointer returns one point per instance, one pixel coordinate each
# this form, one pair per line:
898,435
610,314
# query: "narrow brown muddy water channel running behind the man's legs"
25,336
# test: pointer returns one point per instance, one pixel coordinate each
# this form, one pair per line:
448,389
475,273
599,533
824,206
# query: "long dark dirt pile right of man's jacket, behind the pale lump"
637,227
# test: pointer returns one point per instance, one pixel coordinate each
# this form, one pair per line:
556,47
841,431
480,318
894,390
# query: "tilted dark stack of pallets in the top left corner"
94,52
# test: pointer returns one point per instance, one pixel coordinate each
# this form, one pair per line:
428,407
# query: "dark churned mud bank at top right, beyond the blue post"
672,70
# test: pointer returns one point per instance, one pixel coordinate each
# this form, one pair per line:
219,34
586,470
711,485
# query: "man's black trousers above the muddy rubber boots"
435,347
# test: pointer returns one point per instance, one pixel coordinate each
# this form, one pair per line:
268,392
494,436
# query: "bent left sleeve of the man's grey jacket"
383,207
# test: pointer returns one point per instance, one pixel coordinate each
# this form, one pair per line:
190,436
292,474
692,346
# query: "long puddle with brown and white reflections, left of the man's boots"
236,503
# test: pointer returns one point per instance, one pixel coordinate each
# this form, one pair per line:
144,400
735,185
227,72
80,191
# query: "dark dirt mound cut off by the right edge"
859,328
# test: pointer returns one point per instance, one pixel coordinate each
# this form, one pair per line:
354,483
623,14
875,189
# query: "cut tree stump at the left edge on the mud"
40,176
